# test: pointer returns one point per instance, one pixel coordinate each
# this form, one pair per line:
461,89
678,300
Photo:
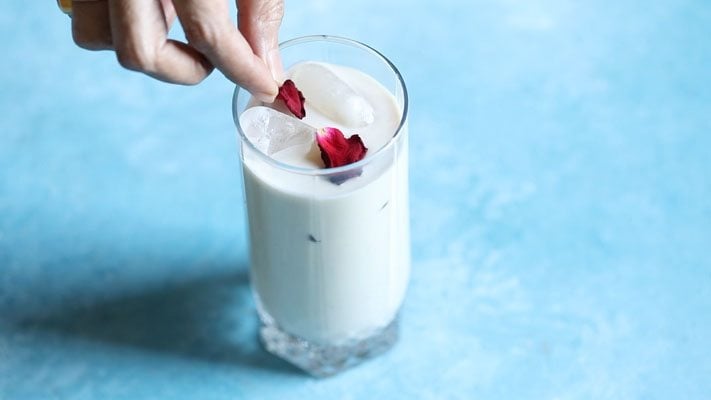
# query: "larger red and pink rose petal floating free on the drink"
336,150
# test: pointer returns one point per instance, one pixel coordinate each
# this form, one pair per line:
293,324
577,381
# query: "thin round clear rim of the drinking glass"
334,170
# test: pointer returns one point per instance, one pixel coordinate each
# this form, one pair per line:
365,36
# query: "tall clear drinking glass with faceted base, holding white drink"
329,262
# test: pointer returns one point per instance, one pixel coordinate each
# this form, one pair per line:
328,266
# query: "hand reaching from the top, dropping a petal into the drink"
137,30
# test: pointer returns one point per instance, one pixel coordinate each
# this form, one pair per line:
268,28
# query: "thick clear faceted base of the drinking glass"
324,360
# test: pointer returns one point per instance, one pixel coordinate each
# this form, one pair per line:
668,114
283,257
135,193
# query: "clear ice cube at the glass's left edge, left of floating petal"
272,131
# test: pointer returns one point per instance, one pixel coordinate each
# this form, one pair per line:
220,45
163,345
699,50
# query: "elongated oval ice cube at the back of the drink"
331,95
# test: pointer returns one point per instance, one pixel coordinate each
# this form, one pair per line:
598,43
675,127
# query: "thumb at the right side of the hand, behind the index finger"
259,22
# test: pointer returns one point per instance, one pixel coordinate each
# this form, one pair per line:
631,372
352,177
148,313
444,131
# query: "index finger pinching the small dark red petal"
209,30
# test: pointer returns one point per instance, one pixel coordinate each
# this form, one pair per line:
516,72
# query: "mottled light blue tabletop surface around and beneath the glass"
561,211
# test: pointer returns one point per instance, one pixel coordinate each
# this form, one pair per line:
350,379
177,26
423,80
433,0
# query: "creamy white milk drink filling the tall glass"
330,262
